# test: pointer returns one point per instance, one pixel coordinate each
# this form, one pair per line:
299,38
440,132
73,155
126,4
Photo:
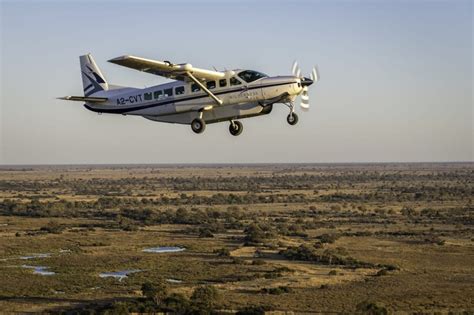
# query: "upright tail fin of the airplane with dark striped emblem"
93,80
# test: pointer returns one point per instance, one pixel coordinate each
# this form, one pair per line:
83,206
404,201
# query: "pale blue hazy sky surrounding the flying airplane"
395,85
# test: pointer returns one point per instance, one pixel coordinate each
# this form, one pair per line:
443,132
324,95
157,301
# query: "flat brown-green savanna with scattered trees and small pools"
246,239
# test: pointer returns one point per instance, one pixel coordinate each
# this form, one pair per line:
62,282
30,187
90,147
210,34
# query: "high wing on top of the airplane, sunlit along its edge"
167,69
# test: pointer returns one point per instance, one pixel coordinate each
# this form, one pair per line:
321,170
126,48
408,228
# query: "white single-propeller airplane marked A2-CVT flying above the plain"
197,96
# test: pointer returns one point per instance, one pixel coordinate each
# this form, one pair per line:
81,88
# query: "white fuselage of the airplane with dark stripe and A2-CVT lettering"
186,102
